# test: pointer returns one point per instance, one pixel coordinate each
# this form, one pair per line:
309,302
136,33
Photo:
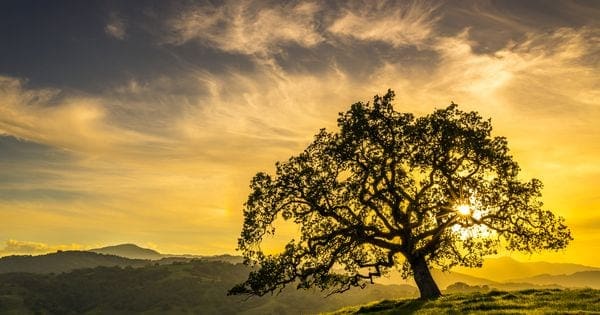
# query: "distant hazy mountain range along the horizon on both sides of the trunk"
500,273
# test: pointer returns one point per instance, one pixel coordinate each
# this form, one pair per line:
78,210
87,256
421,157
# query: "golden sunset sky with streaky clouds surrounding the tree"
144,122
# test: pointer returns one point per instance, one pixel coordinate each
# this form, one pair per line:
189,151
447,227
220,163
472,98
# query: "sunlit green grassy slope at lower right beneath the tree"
550,301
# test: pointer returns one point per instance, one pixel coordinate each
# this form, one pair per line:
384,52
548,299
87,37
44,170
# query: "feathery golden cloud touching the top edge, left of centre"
247,27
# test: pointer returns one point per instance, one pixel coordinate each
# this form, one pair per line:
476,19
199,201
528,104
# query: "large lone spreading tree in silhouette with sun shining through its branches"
387,190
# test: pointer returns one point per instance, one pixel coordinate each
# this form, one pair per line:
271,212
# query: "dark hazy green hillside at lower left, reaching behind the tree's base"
182,288
